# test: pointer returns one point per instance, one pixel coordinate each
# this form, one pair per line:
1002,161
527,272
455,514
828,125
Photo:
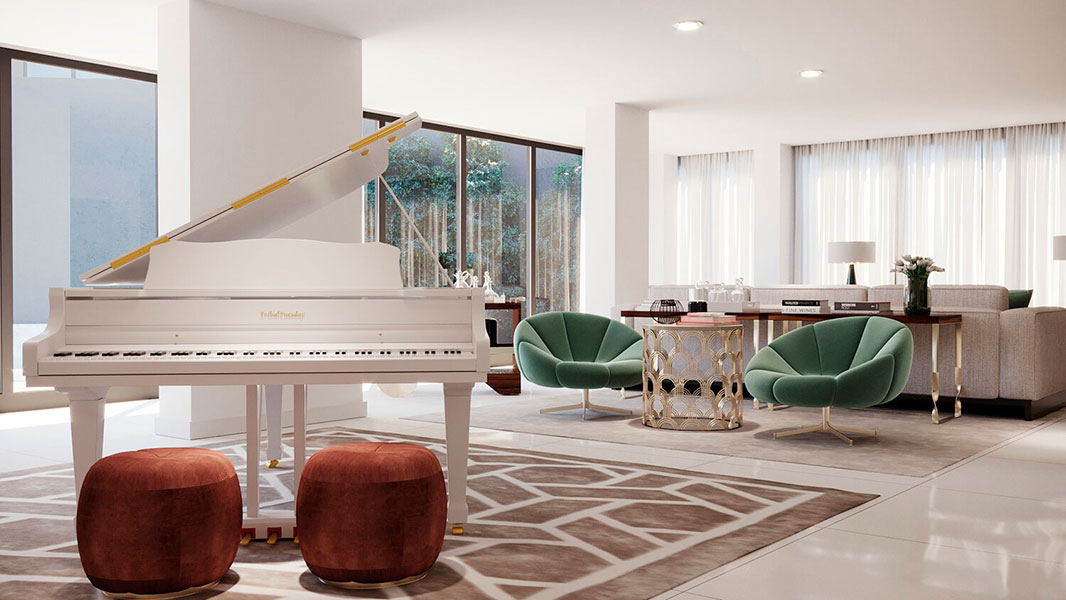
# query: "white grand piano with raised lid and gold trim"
222,306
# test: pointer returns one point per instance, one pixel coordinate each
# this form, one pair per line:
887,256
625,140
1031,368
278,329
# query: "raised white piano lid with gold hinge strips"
273,207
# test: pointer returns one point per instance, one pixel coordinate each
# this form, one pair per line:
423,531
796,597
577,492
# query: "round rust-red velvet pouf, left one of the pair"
161,522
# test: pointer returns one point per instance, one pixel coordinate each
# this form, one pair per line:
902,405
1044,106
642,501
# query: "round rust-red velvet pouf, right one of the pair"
372,515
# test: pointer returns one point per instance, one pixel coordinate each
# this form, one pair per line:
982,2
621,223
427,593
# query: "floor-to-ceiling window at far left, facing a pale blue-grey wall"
78,157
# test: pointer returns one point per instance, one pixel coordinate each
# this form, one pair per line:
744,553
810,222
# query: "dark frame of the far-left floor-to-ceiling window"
10,400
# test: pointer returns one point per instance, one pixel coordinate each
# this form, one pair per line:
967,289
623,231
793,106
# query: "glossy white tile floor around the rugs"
991,527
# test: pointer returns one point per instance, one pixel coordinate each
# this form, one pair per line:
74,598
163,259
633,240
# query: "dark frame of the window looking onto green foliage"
461,201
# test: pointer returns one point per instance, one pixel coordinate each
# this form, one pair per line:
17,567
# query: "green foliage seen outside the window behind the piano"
423,172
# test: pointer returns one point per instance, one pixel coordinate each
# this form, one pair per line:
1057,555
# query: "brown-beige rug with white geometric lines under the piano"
542,526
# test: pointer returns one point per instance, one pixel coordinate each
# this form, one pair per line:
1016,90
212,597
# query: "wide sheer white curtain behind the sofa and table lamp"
986,204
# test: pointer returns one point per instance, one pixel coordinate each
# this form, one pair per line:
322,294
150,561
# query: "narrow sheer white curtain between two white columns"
713,229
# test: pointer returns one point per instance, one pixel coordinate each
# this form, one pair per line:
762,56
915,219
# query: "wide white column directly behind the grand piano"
244,101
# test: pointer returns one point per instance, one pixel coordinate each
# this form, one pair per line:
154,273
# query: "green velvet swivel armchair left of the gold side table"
579,351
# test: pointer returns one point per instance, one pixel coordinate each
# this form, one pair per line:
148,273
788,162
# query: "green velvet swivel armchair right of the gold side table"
852,363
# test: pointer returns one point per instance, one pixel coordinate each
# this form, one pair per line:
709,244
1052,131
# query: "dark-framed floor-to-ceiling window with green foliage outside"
513,205
